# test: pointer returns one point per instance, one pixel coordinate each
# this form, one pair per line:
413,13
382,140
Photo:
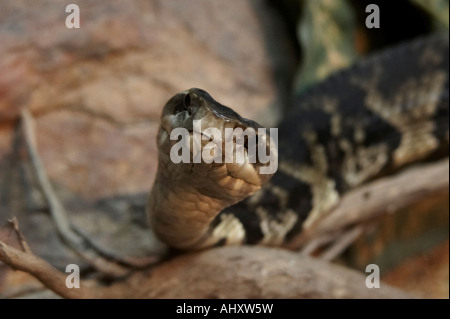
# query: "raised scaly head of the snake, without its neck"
206,146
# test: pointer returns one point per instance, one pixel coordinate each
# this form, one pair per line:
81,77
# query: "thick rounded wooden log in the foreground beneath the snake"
258,272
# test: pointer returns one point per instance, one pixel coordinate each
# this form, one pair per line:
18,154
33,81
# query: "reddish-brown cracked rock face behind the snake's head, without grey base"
97,91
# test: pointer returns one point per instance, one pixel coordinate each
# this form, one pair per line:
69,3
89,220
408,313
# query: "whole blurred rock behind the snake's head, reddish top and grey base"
96,94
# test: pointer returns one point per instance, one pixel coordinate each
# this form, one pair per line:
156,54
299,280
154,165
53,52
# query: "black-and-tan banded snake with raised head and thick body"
384,112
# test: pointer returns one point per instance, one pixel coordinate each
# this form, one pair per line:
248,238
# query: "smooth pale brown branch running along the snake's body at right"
380,197
